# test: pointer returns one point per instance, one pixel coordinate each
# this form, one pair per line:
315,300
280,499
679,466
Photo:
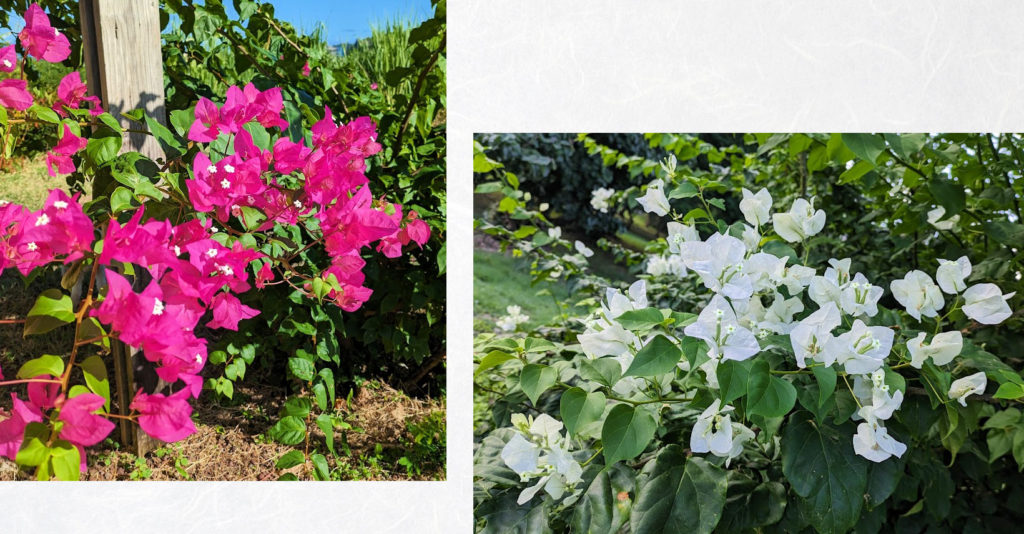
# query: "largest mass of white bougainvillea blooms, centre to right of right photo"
742,278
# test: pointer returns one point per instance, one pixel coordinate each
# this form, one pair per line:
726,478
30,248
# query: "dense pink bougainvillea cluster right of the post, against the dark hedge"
335,190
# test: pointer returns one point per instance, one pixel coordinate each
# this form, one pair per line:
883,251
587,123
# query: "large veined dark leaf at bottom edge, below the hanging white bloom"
679,496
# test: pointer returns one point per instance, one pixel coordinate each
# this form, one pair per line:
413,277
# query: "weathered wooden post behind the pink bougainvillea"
124,68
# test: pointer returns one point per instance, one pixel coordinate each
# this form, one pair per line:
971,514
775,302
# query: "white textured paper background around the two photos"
605,66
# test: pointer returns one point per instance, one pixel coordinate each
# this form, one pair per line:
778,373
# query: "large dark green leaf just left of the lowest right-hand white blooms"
821,465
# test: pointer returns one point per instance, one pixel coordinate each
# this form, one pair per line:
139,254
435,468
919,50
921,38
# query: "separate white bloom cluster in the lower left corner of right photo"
539,450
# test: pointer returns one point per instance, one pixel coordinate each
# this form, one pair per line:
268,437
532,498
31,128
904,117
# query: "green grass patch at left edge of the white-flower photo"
500,281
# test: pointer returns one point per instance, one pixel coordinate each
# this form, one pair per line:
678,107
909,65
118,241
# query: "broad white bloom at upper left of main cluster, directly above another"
719,261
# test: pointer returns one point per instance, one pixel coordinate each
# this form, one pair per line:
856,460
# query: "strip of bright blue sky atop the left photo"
346,21
